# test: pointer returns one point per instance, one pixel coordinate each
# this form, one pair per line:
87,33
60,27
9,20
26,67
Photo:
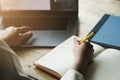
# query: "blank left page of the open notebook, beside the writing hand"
60,59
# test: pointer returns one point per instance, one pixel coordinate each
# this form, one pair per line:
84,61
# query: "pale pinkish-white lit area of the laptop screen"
25,5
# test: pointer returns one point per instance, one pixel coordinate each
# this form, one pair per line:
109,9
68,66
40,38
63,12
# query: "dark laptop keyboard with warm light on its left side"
37,23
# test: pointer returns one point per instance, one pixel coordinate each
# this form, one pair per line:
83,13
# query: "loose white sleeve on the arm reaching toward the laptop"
11,60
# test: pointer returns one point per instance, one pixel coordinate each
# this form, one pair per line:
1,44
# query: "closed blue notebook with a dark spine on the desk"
107,32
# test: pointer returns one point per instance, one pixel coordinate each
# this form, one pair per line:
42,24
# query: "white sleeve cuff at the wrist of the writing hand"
72,75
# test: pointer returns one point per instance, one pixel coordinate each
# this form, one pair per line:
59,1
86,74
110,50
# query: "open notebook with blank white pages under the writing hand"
105,64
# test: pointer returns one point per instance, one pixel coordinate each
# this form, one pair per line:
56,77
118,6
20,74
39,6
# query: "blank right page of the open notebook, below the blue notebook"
105,66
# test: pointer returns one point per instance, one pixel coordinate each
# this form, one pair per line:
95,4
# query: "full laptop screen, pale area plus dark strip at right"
38,5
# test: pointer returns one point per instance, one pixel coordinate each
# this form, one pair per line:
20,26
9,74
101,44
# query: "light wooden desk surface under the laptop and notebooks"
90,11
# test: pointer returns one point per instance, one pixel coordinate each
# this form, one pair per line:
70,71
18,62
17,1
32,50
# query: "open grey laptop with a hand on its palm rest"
51,21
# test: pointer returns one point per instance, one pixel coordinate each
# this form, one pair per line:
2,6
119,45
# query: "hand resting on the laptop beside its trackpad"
15,36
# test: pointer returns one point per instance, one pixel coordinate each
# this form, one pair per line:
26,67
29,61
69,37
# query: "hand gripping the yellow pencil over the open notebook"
83,55
